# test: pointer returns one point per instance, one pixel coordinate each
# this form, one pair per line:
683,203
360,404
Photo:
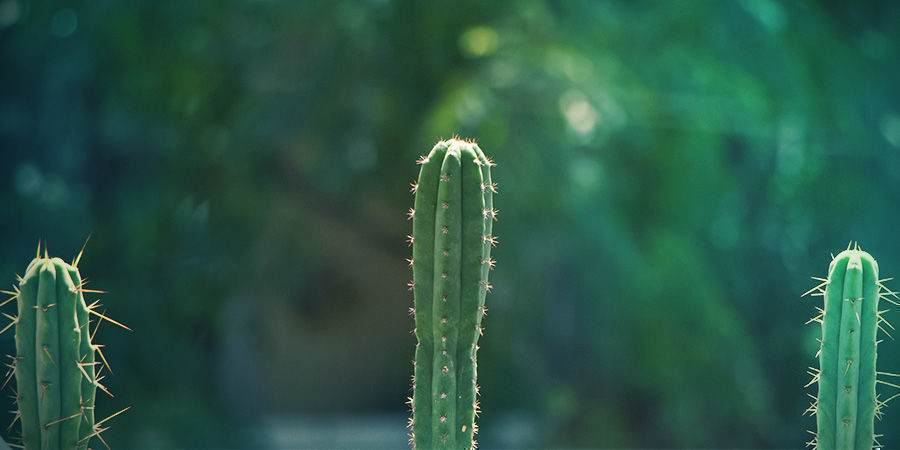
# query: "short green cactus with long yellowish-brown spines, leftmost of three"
55,365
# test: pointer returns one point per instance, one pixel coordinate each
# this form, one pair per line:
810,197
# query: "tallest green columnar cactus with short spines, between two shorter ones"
451,242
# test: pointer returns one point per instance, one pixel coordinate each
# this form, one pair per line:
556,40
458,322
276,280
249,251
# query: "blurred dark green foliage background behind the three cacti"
671,174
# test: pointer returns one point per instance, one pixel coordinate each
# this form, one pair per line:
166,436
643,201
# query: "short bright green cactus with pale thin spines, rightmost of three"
846,404
